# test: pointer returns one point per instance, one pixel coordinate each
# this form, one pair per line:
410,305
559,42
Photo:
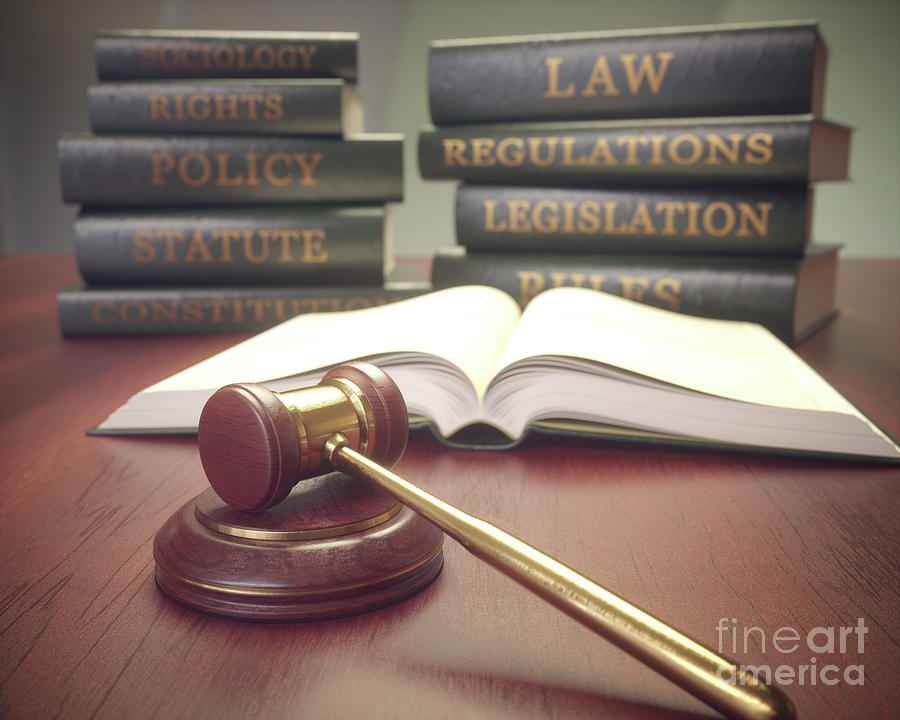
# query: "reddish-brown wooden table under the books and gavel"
771,542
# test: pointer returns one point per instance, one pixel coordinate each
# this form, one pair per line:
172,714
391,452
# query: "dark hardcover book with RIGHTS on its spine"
264,107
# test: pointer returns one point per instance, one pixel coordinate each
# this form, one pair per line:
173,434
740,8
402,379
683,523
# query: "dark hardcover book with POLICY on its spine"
225,169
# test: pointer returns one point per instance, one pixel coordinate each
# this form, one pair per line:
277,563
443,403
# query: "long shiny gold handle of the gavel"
708,676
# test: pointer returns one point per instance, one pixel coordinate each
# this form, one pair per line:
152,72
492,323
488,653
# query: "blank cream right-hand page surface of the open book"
741,361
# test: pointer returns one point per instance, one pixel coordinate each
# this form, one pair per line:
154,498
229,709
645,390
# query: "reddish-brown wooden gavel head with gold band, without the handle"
256,444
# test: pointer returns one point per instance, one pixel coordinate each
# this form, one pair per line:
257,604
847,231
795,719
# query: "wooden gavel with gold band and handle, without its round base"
257,444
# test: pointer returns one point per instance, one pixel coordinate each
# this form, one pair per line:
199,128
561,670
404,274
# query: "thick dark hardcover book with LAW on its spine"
752,69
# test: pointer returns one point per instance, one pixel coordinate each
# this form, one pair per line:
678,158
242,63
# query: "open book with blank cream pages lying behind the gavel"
576,360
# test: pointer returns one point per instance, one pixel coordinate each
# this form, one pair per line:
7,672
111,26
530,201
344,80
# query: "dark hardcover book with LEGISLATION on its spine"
765,220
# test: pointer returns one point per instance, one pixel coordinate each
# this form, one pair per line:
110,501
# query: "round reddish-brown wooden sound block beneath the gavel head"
335,547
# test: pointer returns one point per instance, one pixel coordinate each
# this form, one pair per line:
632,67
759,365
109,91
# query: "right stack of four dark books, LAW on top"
670,166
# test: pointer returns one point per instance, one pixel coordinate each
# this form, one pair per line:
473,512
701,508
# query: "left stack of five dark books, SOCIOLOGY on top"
227,184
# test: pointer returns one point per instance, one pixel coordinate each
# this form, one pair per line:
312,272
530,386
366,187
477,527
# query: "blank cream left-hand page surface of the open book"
468,326
